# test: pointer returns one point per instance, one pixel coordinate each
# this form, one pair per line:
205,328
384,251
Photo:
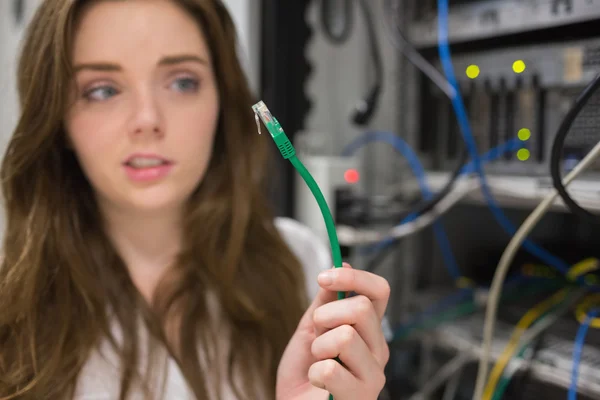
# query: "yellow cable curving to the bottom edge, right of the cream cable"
524,323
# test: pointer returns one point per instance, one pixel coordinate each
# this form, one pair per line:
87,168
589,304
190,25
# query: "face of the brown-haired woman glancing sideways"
146,110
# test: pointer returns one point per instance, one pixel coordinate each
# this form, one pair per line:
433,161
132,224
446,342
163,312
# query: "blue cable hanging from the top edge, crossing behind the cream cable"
465,128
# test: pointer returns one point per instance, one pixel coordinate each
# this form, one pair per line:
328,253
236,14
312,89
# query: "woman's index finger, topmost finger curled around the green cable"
368,284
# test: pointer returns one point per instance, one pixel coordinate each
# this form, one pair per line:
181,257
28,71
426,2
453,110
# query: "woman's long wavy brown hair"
62,284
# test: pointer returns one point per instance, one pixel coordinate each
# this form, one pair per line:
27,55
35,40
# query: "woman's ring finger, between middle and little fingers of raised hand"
345,342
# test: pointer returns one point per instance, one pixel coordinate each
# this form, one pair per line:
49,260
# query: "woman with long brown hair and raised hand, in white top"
141,260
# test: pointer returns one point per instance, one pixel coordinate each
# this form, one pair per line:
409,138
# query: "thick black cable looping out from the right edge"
557,149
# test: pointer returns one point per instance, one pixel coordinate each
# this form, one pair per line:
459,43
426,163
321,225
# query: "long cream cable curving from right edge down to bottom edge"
504,265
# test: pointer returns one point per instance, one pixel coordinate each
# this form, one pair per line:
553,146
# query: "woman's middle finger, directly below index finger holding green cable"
358,312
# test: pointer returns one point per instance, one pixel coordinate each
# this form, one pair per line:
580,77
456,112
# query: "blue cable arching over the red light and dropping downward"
417,168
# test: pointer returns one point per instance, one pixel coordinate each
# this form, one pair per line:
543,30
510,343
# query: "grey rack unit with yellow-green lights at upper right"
503,104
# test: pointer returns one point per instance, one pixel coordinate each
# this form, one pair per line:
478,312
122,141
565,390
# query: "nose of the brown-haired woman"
146,118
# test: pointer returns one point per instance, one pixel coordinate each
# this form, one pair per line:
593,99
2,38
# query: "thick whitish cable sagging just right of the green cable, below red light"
350,236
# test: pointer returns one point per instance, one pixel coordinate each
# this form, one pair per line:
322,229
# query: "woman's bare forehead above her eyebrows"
136,30
